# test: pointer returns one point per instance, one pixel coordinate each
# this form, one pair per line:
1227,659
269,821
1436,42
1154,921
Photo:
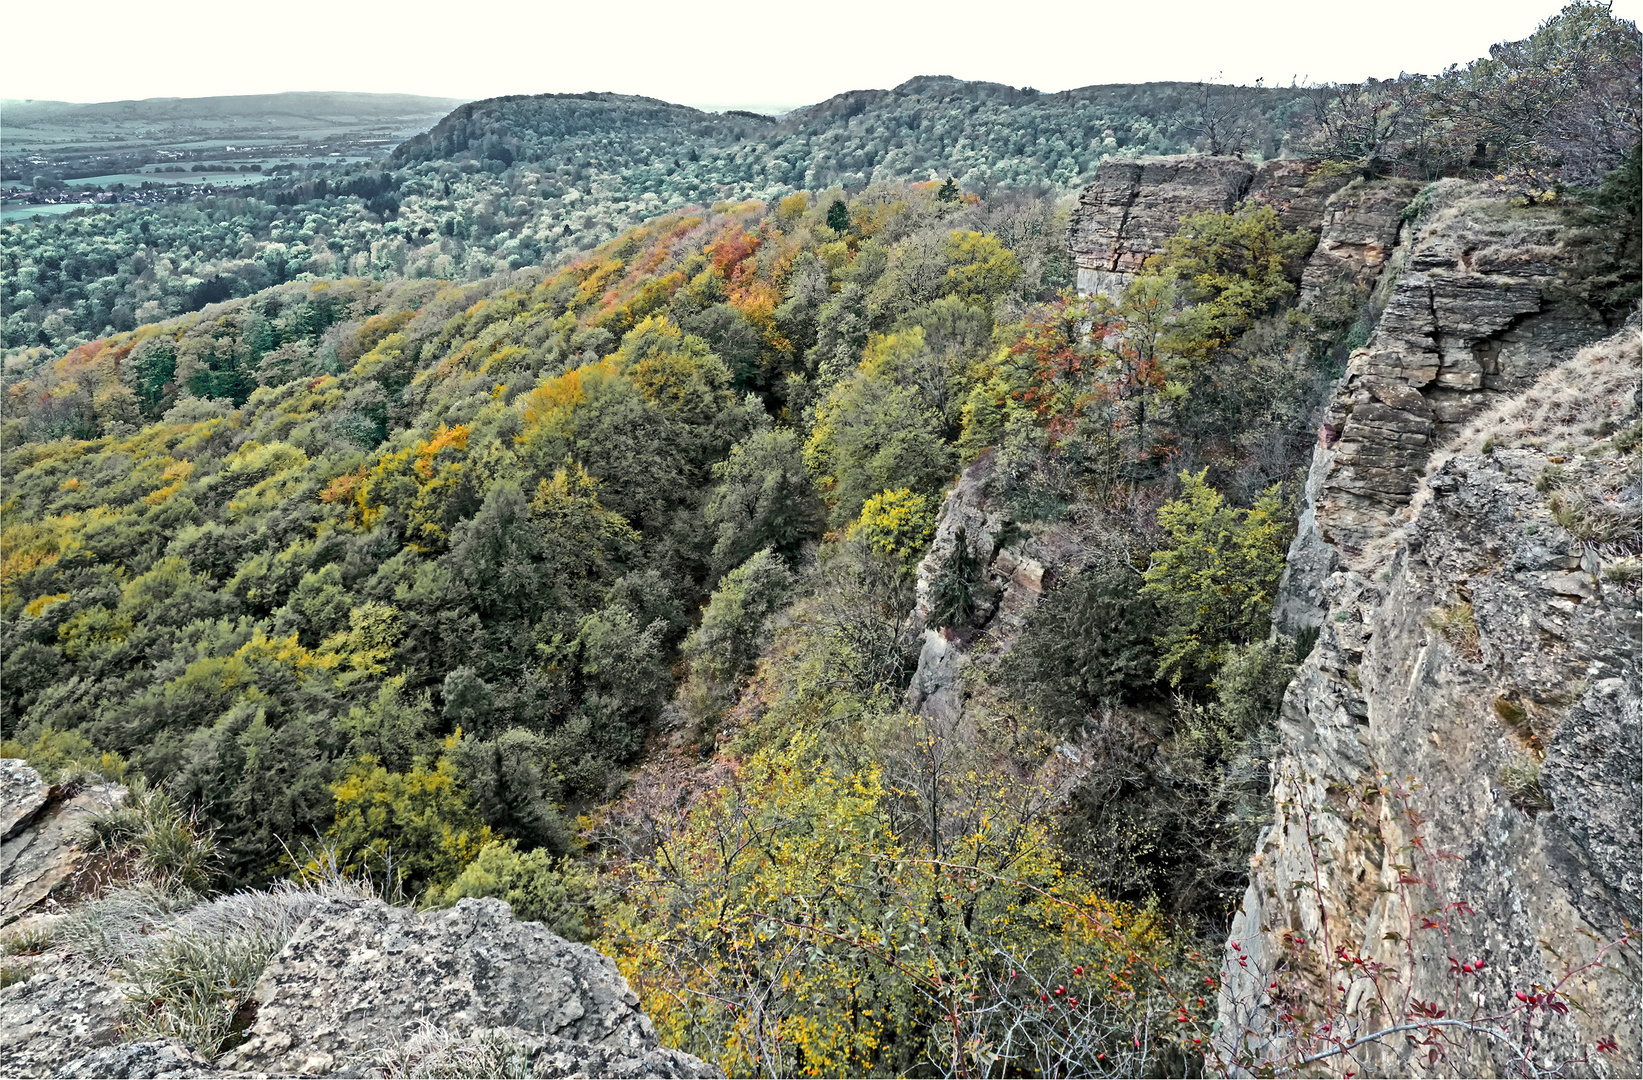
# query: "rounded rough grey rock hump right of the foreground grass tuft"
362,974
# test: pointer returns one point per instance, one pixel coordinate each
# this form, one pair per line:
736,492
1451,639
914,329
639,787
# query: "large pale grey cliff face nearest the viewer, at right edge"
1463,745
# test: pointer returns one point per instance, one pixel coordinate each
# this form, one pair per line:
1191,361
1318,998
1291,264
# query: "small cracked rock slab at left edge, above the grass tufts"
40,824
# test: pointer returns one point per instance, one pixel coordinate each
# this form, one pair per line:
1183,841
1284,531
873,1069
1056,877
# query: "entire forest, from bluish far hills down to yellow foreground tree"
397,542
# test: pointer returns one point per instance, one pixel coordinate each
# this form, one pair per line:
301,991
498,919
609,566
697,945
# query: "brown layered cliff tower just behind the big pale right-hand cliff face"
1470,320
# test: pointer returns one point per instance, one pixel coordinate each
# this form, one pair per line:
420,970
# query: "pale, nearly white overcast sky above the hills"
757,55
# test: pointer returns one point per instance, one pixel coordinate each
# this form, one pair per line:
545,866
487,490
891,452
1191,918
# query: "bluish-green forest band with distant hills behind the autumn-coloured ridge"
510,183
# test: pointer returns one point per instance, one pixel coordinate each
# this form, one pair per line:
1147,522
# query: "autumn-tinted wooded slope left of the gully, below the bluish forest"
336,491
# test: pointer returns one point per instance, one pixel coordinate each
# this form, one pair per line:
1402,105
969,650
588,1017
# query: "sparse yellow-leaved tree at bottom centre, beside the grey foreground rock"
788,928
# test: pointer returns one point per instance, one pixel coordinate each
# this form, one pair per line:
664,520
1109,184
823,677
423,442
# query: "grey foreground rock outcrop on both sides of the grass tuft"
361,979
